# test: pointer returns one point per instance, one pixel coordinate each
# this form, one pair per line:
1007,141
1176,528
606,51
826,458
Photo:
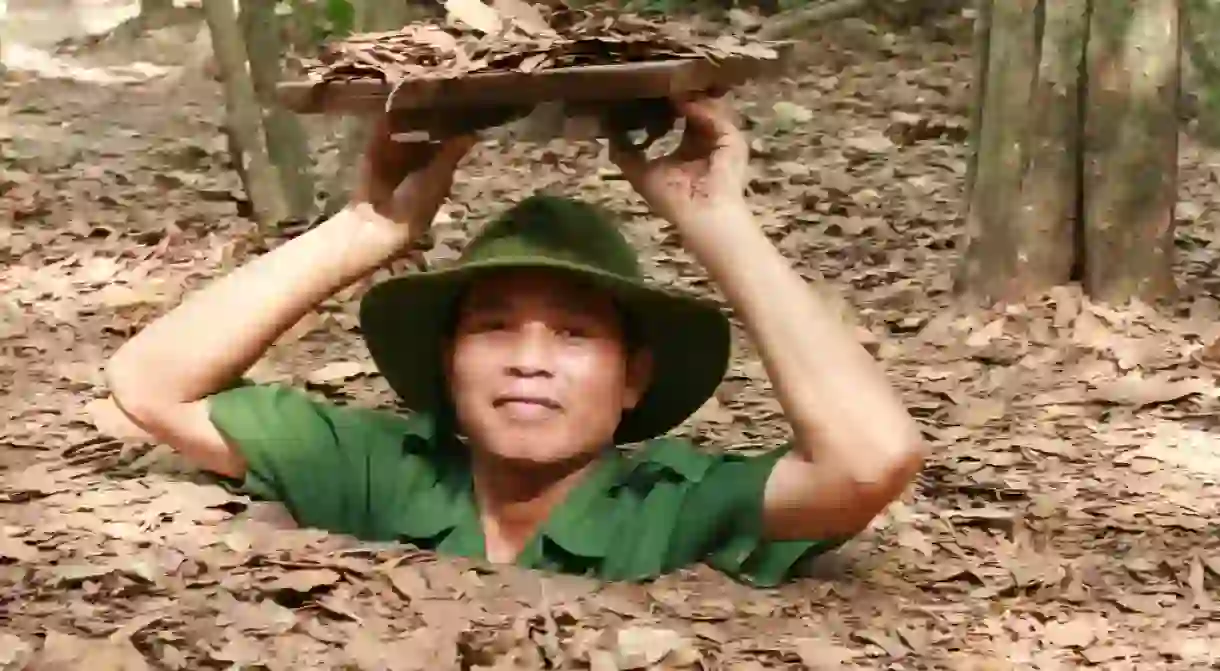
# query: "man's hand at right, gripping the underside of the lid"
706,175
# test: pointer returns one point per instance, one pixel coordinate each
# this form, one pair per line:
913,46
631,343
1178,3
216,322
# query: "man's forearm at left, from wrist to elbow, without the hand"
215,336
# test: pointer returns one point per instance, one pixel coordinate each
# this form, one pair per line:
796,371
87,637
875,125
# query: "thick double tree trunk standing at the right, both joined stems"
1074,149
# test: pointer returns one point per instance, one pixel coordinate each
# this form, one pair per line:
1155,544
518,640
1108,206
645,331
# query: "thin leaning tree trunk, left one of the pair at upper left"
243,117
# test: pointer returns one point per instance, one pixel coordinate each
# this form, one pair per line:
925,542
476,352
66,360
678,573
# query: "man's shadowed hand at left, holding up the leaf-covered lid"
407,182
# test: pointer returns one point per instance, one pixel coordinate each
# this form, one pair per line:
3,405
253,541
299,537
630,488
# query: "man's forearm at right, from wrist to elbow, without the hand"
841,407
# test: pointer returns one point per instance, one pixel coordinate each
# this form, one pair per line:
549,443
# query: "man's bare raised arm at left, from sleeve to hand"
162,378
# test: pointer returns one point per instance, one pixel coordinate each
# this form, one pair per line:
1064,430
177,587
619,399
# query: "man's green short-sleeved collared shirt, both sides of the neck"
382,476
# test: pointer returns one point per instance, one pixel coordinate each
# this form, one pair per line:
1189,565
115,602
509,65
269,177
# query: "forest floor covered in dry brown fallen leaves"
1067,518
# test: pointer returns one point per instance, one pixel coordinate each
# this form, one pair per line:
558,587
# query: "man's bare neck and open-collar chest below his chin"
515,501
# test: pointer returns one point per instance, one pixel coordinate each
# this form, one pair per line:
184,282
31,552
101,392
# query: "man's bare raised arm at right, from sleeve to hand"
855,446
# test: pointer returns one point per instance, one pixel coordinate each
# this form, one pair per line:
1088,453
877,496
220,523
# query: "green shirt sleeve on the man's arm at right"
723,517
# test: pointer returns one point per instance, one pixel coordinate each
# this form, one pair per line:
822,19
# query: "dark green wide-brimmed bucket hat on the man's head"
404,320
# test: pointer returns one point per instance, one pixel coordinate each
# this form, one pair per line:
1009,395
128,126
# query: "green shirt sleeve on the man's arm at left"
323,462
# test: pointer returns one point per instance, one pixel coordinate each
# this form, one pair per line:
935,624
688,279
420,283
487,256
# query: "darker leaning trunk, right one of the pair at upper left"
287,143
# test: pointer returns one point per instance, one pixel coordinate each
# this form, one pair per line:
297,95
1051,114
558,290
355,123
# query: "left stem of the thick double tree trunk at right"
1024,180
